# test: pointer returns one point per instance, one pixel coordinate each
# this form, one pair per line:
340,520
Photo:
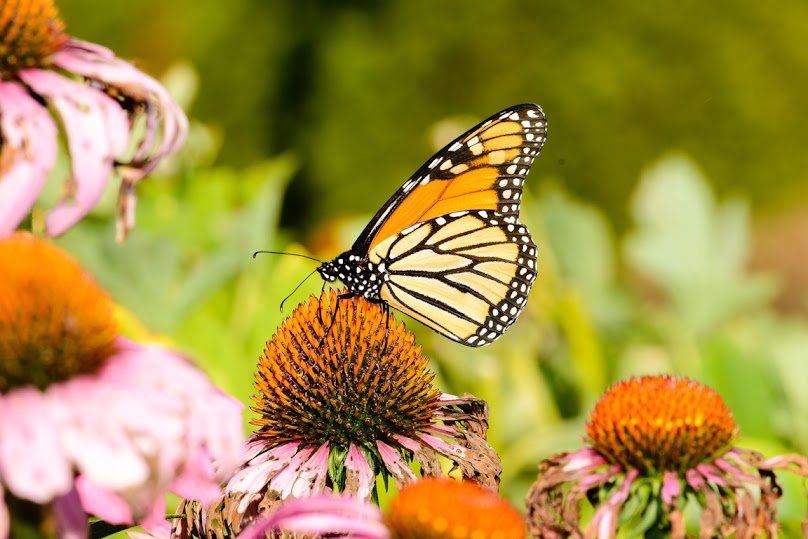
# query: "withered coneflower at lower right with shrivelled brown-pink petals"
657,444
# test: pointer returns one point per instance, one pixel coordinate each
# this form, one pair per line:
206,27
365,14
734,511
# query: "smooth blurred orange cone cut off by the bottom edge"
448,509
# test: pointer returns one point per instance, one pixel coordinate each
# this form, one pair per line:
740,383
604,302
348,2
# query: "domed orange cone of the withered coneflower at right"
660,423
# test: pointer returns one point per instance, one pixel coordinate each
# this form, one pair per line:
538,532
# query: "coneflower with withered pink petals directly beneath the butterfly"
334,416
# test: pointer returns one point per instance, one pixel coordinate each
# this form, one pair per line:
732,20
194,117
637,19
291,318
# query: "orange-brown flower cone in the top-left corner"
30,31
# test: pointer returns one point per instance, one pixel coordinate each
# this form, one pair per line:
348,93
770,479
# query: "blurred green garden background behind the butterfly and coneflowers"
670,202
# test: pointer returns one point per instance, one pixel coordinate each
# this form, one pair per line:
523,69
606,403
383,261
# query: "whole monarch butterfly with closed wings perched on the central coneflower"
447,248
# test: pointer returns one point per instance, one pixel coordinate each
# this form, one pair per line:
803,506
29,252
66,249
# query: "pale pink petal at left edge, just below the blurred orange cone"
32,463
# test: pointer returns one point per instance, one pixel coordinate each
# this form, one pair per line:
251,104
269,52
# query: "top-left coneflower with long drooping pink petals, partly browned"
113,116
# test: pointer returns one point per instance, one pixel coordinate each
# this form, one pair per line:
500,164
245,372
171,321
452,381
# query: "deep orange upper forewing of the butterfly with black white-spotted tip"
483,169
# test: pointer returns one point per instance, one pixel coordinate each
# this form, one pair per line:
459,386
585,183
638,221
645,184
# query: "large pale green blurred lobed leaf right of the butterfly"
693,248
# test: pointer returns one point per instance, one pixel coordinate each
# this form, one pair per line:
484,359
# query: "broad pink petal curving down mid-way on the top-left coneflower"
97,134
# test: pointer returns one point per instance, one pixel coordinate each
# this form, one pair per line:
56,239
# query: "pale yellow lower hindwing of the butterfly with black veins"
467,275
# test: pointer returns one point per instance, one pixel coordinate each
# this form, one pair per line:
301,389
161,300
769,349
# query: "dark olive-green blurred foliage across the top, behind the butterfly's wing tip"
350,86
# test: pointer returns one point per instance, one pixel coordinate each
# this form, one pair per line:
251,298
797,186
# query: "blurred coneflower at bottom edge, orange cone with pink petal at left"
426,509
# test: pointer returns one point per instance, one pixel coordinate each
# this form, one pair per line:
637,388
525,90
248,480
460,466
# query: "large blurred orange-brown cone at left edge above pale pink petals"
55,322
